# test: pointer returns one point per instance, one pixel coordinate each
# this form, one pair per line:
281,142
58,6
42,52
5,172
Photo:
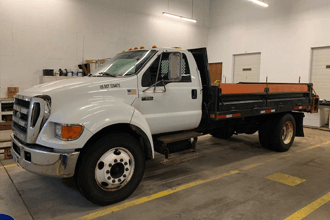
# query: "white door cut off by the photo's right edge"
320,75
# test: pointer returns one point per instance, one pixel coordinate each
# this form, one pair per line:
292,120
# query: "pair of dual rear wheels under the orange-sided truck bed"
278,134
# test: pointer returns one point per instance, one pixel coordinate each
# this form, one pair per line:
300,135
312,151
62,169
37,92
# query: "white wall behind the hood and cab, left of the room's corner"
37,34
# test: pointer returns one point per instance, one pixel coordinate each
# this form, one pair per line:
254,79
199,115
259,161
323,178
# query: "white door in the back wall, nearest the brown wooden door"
247,67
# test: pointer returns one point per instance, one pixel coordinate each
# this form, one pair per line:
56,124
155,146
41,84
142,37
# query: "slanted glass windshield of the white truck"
124,64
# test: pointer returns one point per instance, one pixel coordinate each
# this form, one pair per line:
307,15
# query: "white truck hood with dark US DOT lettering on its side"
88,90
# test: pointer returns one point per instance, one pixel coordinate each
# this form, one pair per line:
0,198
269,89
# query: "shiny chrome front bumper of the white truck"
43,162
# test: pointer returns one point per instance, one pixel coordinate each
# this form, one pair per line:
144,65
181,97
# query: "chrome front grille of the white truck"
27,118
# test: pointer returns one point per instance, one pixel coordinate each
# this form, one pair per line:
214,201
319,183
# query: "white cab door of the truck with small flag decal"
175,106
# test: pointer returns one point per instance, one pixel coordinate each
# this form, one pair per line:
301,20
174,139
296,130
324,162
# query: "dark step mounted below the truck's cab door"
177,142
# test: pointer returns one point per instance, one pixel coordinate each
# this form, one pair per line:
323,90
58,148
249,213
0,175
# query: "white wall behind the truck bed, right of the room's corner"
284,33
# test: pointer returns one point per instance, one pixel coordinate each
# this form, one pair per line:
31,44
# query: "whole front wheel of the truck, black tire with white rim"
90,168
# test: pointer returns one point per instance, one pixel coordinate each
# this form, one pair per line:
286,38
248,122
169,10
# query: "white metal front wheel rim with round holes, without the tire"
114,169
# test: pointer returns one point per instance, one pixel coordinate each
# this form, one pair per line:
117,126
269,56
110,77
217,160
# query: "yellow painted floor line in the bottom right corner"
302,213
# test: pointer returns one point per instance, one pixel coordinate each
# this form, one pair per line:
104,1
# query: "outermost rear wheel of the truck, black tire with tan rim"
284,132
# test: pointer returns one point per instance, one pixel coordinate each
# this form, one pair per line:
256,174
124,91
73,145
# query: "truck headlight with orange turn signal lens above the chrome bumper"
68,132
